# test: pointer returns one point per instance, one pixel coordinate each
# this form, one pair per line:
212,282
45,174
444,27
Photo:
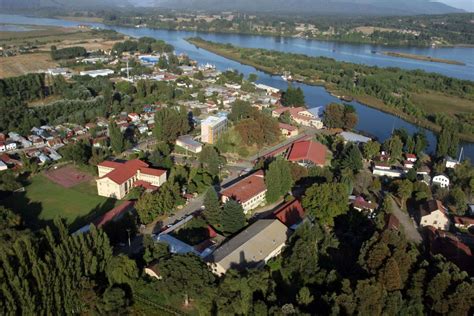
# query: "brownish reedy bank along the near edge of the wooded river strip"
342,94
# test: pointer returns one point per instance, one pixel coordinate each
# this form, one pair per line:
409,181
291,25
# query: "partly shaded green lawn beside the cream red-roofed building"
44,200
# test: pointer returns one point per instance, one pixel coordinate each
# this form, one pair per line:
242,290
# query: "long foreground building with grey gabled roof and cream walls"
251,248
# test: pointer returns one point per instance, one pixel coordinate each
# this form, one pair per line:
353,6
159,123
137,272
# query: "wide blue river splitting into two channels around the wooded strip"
371,121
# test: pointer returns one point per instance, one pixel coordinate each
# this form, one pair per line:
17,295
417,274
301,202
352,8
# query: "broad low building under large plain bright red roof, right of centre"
308,153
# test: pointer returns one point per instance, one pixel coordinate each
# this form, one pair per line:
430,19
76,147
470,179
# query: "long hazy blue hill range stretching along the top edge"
313,7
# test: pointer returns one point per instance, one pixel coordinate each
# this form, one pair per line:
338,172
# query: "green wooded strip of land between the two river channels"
394,87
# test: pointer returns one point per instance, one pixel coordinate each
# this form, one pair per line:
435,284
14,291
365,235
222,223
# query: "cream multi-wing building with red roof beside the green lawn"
116,179
